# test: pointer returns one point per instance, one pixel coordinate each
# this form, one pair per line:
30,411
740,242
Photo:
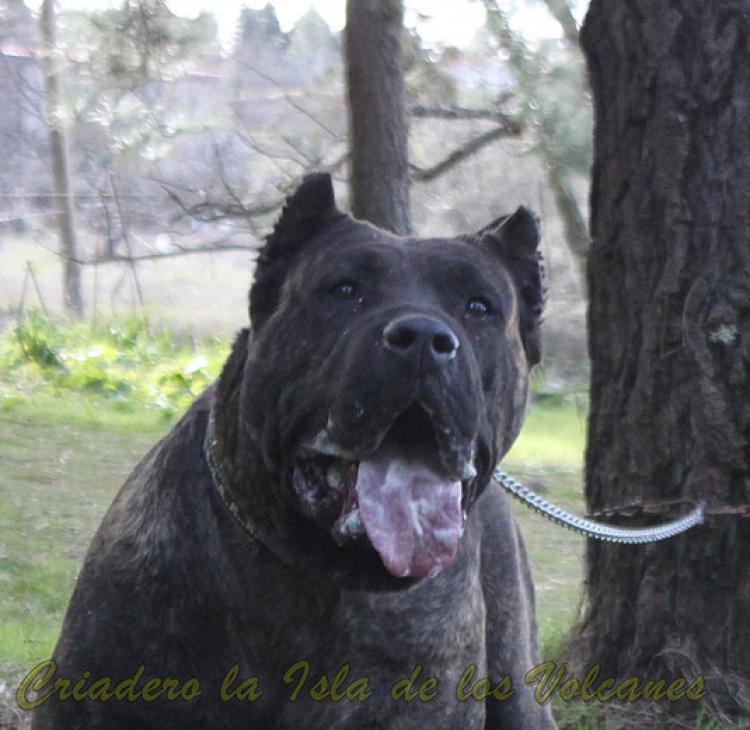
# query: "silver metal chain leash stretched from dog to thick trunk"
597,530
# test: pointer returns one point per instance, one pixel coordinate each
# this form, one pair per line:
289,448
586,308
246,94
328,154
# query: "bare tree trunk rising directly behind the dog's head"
377,116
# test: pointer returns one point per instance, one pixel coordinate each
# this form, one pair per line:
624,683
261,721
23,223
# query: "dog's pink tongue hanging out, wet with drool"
411,513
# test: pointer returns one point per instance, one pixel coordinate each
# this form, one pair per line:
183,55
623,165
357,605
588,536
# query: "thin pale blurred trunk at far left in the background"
60,167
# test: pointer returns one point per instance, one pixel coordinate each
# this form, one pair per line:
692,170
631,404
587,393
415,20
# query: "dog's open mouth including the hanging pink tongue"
400,497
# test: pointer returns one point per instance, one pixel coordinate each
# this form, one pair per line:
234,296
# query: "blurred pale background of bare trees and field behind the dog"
184,141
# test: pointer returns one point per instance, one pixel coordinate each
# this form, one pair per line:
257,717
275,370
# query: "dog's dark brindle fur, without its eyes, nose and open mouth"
174,583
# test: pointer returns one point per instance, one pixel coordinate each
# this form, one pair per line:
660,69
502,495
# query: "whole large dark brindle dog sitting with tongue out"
318,543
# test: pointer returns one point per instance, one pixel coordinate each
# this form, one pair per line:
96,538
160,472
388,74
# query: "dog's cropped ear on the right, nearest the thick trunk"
516,239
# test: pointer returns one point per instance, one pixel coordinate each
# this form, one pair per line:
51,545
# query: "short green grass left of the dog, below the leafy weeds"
61,461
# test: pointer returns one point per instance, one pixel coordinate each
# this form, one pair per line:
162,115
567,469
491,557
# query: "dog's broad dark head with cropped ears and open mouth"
382,380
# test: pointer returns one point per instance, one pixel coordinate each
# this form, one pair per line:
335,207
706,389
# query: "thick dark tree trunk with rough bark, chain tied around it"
669,336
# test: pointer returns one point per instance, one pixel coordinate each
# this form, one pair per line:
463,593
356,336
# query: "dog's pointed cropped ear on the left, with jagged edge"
309,210
